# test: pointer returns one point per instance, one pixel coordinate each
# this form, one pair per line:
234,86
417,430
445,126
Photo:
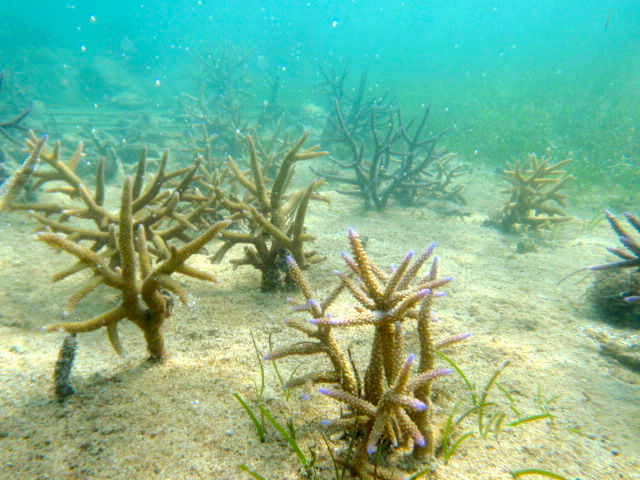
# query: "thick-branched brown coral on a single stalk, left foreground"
145,289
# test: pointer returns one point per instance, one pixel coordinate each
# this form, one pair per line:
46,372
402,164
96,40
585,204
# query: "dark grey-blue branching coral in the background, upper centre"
389,158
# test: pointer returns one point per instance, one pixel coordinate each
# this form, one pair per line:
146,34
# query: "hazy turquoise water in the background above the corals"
511,77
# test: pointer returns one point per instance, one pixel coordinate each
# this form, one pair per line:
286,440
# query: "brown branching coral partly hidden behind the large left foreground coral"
162,205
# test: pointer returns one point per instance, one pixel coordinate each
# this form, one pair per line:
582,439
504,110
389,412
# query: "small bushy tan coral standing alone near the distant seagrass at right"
535,188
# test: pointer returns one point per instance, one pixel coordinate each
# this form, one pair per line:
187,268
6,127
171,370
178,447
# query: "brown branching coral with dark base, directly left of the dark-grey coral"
270,223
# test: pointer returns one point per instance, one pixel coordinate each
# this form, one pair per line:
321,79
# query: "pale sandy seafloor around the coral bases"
180,421
